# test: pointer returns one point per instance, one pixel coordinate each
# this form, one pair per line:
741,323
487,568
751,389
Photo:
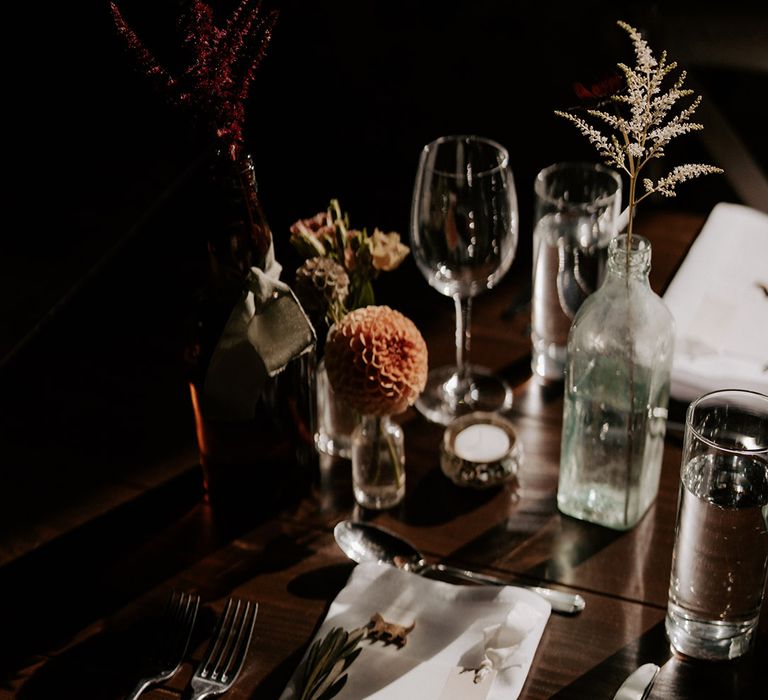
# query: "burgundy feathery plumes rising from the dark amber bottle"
222,62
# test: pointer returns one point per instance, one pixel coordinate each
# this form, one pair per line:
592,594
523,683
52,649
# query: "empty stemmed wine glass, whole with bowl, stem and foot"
464,224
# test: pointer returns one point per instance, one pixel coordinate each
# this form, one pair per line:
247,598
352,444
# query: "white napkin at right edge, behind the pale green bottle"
720,308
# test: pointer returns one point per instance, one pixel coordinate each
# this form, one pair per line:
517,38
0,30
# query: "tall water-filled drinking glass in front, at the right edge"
721,546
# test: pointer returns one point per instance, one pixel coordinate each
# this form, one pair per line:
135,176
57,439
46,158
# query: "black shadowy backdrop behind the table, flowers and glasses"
98,164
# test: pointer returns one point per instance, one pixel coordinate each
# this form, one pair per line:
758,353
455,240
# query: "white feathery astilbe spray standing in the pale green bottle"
643,122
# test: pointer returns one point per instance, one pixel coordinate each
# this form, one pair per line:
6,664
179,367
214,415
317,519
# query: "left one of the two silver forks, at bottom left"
170,645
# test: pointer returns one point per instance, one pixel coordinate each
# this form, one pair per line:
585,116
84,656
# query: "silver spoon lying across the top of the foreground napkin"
363,542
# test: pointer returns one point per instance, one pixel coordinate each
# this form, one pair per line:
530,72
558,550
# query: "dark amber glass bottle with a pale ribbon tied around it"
238,456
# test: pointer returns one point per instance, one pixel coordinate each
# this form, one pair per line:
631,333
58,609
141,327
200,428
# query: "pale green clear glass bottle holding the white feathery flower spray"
619,357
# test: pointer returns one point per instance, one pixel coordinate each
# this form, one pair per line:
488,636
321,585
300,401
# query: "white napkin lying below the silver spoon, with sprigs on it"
455,626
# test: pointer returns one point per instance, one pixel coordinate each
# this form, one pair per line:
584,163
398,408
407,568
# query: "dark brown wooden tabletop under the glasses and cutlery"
75,608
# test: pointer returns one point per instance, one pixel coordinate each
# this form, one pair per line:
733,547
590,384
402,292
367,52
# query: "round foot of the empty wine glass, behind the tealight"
487,392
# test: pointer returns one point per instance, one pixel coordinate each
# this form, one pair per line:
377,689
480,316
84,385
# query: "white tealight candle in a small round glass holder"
480,450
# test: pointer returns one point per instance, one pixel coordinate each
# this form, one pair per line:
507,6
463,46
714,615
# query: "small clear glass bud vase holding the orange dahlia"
378,463
